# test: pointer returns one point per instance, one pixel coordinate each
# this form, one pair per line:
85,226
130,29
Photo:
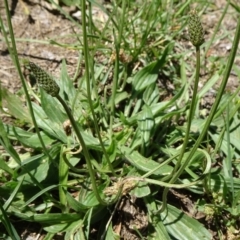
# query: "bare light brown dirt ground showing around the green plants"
36,23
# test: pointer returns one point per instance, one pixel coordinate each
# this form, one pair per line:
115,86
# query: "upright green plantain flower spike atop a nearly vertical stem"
195,29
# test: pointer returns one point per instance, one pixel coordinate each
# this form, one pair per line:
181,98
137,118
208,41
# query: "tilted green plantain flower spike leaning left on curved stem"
43,79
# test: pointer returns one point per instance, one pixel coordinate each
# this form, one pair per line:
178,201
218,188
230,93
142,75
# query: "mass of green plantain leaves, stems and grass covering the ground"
86,148
